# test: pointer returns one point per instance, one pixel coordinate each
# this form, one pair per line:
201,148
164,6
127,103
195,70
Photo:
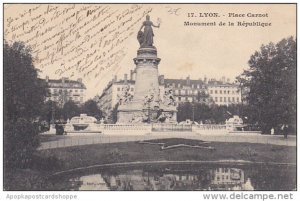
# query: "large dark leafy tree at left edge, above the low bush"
24,93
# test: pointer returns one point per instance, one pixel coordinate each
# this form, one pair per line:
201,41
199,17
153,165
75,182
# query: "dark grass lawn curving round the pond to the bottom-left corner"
47,162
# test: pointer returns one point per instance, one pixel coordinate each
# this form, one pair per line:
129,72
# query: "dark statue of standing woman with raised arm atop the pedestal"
146,38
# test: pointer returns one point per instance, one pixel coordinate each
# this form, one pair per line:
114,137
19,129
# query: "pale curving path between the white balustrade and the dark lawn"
84,139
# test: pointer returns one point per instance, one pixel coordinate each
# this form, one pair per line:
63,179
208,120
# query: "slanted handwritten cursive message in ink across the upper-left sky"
75,39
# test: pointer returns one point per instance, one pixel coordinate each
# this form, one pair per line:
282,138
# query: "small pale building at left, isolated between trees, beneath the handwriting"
64,90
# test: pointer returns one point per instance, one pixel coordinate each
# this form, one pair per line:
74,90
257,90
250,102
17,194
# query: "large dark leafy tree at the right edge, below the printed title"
272,83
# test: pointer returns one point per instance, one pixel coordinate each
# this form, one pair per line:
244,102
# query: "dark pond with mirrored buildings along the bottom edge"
181,178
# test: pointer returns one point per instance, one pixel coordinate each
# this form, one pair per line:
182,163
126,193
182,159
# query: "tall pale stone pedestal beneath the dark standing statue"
146,99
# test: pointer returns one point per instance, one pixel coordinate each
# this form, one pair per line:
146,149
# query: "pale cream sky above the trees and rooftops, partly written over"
95,42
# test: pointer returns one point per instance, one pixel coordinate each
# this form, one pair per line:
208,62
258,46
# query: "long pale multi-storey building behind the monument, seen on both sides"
204,91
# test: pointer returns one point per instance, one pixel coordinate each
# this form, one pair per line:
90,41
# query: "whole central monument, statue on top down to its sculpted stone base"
146,105
